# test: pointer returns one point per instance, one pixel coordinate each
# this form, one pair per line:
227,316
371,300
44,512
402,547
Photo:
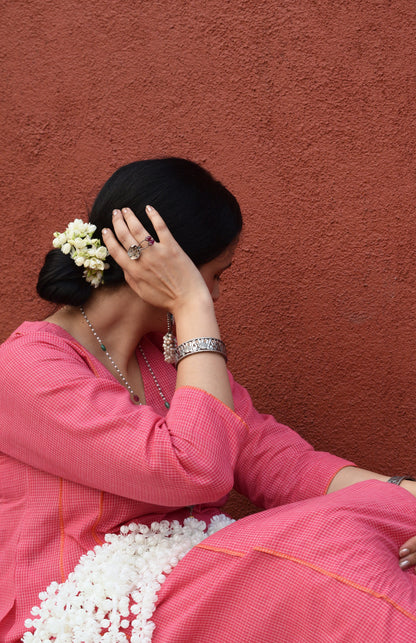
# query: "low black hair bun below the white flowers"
61,281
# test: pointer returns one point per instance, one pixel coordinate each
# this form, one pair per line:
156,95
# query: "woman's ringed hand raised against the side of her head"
163,275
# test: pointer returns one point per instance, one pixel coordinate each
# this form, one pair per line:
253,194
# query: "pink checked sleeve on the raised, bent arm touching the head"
58,417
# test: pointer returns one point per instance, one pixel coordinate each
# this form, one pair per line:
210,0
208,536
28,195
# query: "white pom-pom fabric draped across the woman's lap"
116,584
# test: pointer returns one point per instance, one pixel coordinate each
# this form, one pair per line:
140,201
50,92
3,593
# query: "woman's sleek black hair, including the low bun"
202,215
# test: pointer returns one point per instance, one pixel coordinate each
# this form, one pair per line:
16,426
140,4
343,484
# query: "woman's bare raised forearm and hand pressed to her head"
166,277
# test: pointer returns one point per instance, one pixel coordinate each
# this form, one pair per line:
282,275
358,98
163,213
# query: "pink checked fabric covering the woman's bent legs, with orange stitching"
320,570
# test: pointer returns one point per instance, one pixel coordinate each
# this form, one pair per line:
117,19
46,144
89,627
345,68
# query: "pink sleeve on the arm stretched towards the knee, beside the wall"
275,465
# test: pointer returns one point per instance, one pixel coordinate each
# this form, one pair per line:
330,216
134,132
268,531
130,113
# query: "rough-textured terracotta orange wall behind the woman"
306,110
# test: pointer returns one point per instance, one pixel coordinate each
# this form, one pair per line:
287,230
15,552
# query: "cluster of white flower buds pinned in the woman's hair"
78,242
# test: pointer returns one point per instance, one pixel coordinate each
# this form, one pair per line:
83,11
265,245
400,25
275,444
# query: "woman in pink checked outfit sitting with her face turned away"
98,431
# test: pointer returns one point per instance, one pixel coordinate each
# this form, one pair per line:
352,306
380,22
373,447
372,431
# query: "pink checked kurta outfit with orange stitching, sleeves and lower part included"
79,460
